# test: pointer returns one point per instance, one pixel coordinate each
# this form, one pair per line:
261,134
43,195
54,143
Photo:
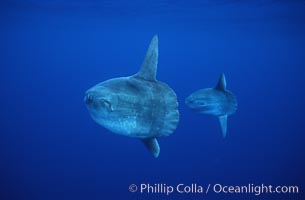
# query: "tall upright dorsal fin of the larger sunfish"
148,69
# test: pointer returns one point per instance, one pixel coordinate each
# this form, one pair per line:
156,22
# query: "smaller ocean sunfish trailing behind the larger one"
217,101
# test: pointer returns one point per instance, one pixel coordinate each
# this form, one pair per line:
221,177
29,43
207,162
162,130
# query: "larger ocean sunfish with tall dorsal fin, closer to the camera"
137,106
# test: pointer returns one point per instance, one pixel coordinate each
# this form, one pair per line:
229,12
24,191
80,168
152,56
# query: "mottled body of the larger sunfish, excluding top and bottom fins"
131,106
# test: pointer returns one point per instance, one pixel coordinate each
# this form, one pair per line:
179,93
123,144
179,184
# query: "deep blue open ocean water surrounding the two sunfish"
53,51
